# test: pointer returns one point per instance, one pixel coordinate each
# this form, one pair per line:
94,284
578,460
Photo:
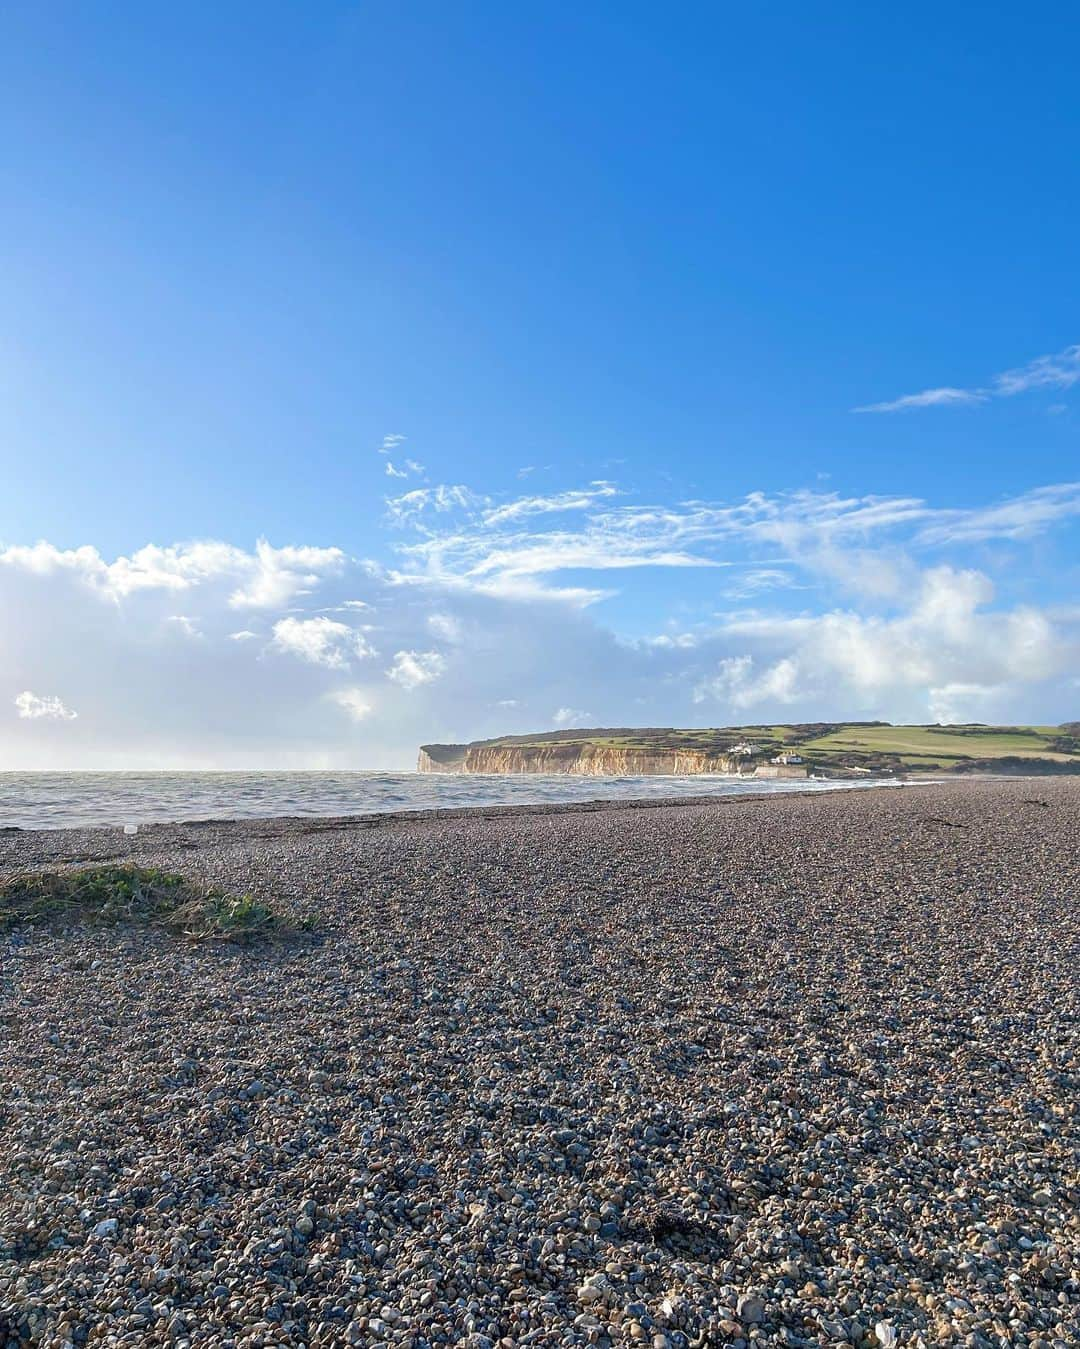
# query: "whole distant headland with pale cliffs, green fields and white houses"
831,748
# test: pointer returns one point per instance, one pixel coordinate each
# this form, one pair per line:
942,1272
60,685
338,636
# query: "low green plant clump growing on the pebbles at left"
121,895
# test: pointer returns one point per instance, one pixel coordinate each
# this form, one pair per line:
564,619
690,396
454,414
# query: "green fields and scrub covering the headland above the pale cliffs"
851,747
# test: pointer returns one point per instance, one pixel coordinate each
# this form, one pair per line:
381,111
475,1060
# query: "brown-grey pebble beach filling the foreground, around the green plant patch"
788,1072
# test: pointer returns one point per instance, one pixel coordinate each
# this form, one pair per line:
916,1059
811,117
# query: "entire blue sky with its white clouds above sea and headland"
606,285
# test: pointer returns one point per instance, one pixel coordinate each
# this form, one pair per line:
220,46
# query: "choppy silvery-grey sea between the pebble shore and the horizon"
127,801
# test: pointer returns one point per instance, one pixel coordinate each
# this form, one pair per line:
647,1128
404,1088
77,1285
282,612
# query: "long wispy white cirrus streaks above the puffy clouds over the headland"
528,546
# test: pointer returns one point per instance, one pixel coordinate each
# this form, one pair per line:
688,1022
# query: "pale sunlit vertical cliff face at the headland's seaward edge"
582,760
